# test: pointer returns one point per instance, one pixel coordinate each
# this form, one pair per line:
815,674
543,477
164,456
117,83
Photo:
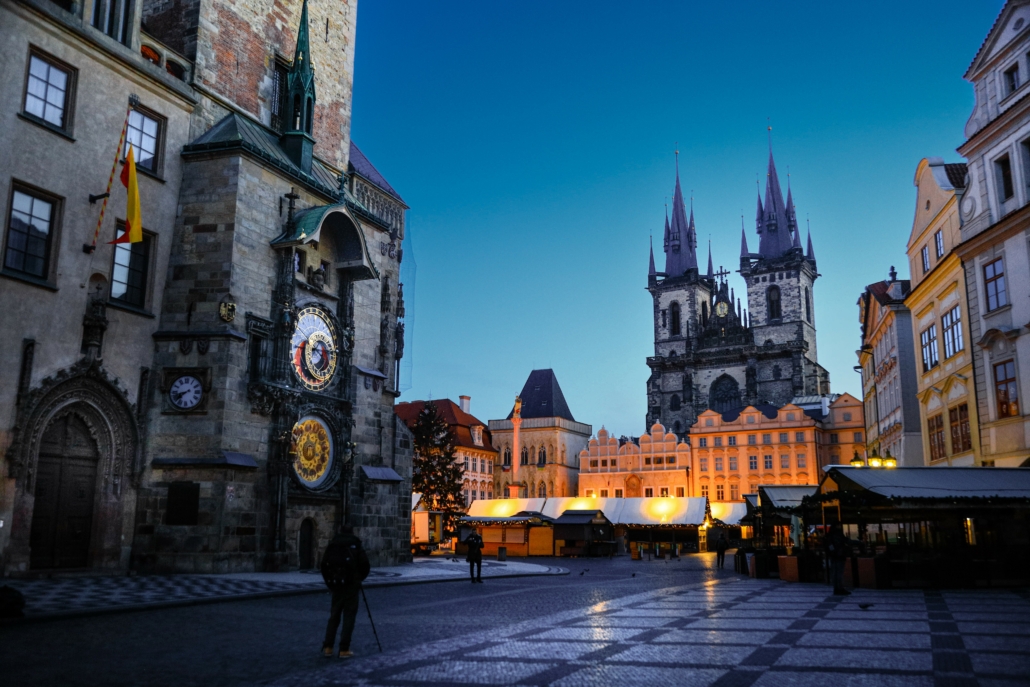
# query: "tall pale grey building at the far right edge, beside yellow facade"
995,213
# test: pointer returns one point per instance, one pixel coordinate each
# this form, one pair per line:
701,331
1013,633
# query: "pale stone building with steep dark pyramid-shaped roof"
540,442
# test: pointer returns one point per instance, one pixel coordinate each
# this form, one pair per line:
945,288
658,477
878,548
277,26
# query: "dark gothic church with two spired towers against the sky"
709,352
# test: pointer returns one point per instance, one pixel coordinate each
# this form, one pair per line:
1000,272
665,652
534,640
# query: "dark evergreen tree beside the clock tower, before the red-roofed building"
436,476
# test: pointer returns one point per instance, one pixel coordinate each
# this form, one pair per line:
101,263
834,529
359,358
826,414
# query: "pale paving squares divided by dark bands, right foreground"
731,634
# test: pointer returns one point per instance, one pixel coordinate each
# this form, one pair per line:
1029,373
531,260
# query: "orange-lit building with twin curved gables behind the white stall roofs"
656,465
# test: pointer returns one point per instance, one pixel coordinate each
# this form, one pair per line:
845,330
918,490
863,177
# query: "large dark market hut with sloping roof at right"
931,527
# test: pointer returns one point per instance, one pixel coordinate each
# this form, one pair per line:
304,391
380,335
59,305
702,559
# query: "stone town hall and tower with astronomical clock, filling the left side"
220,396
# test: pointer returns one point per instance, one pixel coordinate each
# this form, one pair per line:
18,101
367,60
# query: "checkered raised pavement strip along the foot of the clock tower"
85,596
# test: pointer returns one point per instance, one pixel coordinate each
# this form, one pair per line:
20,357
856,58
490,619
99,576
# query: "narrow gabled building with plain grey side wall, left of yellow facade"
889,379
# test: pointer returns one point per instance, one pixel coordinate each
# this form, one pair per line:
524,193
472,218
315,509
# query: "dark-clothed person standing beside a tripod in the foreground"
345,568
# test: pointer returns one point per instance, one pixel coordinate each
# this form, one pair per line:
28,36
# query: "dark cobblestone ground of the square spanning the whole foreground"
609,623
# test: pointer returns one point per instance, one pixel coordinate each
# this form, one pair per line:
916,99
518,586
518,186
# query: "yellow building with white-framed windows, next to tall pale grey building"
940,321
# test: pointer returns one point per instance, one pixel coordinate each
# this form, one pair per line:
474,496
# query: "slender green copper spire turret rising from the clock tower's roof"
297,140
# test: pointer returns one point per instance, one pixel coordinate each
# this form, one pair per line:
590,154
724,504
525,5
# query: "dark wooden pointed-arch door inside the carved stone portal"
66,480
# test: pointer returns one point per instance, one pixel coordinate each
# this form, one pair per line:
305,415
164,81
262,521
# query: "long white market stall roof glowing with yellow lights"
654,511
